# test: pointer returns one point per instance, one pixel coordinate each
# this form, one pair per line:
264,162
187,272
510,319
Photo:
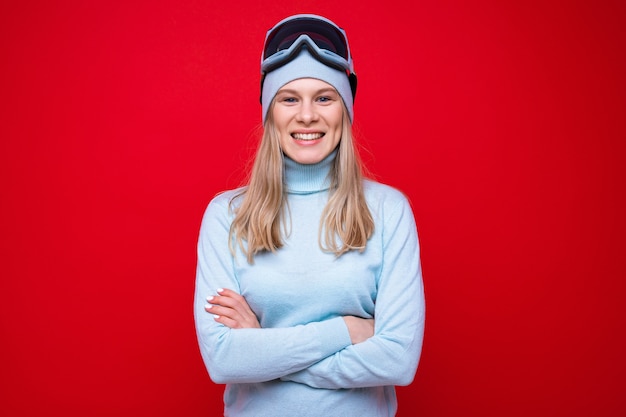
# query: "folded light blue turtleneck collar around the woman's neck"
309,178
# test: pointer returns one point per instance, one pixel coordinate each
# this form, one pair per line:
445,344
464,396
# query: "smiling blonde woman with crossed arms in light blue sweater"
309,297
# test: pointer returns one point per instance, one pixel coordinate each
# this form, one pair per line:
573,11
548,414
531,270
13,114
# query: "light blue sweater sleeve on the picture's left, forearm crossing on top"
249,355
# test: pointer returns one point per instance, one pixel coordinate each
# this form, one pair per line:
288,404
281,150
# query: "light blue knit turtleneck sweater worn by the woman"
301,362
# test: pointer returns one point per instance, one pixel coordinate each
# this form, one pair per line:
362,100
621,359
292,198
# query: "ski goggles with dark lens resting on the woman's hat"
326,41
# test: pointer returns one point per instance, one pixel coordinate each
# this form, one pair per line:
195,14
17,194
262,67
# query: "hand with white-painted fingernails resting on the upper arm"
232,310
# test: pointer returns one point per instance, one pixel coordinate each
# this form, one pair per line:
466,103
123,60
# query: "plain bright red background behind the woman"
502,121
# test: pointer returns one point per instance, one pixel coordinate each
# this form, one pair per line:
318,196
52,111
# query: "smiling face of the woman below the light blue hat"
308,115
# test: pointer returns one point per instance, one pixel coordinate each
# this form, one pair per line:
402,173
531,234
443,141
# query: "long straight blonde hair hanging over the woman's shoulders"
260,220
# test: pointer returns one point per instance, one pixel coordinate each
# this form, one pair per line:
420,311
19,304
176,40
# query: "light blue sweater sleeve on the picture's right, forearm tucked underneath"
391,356
